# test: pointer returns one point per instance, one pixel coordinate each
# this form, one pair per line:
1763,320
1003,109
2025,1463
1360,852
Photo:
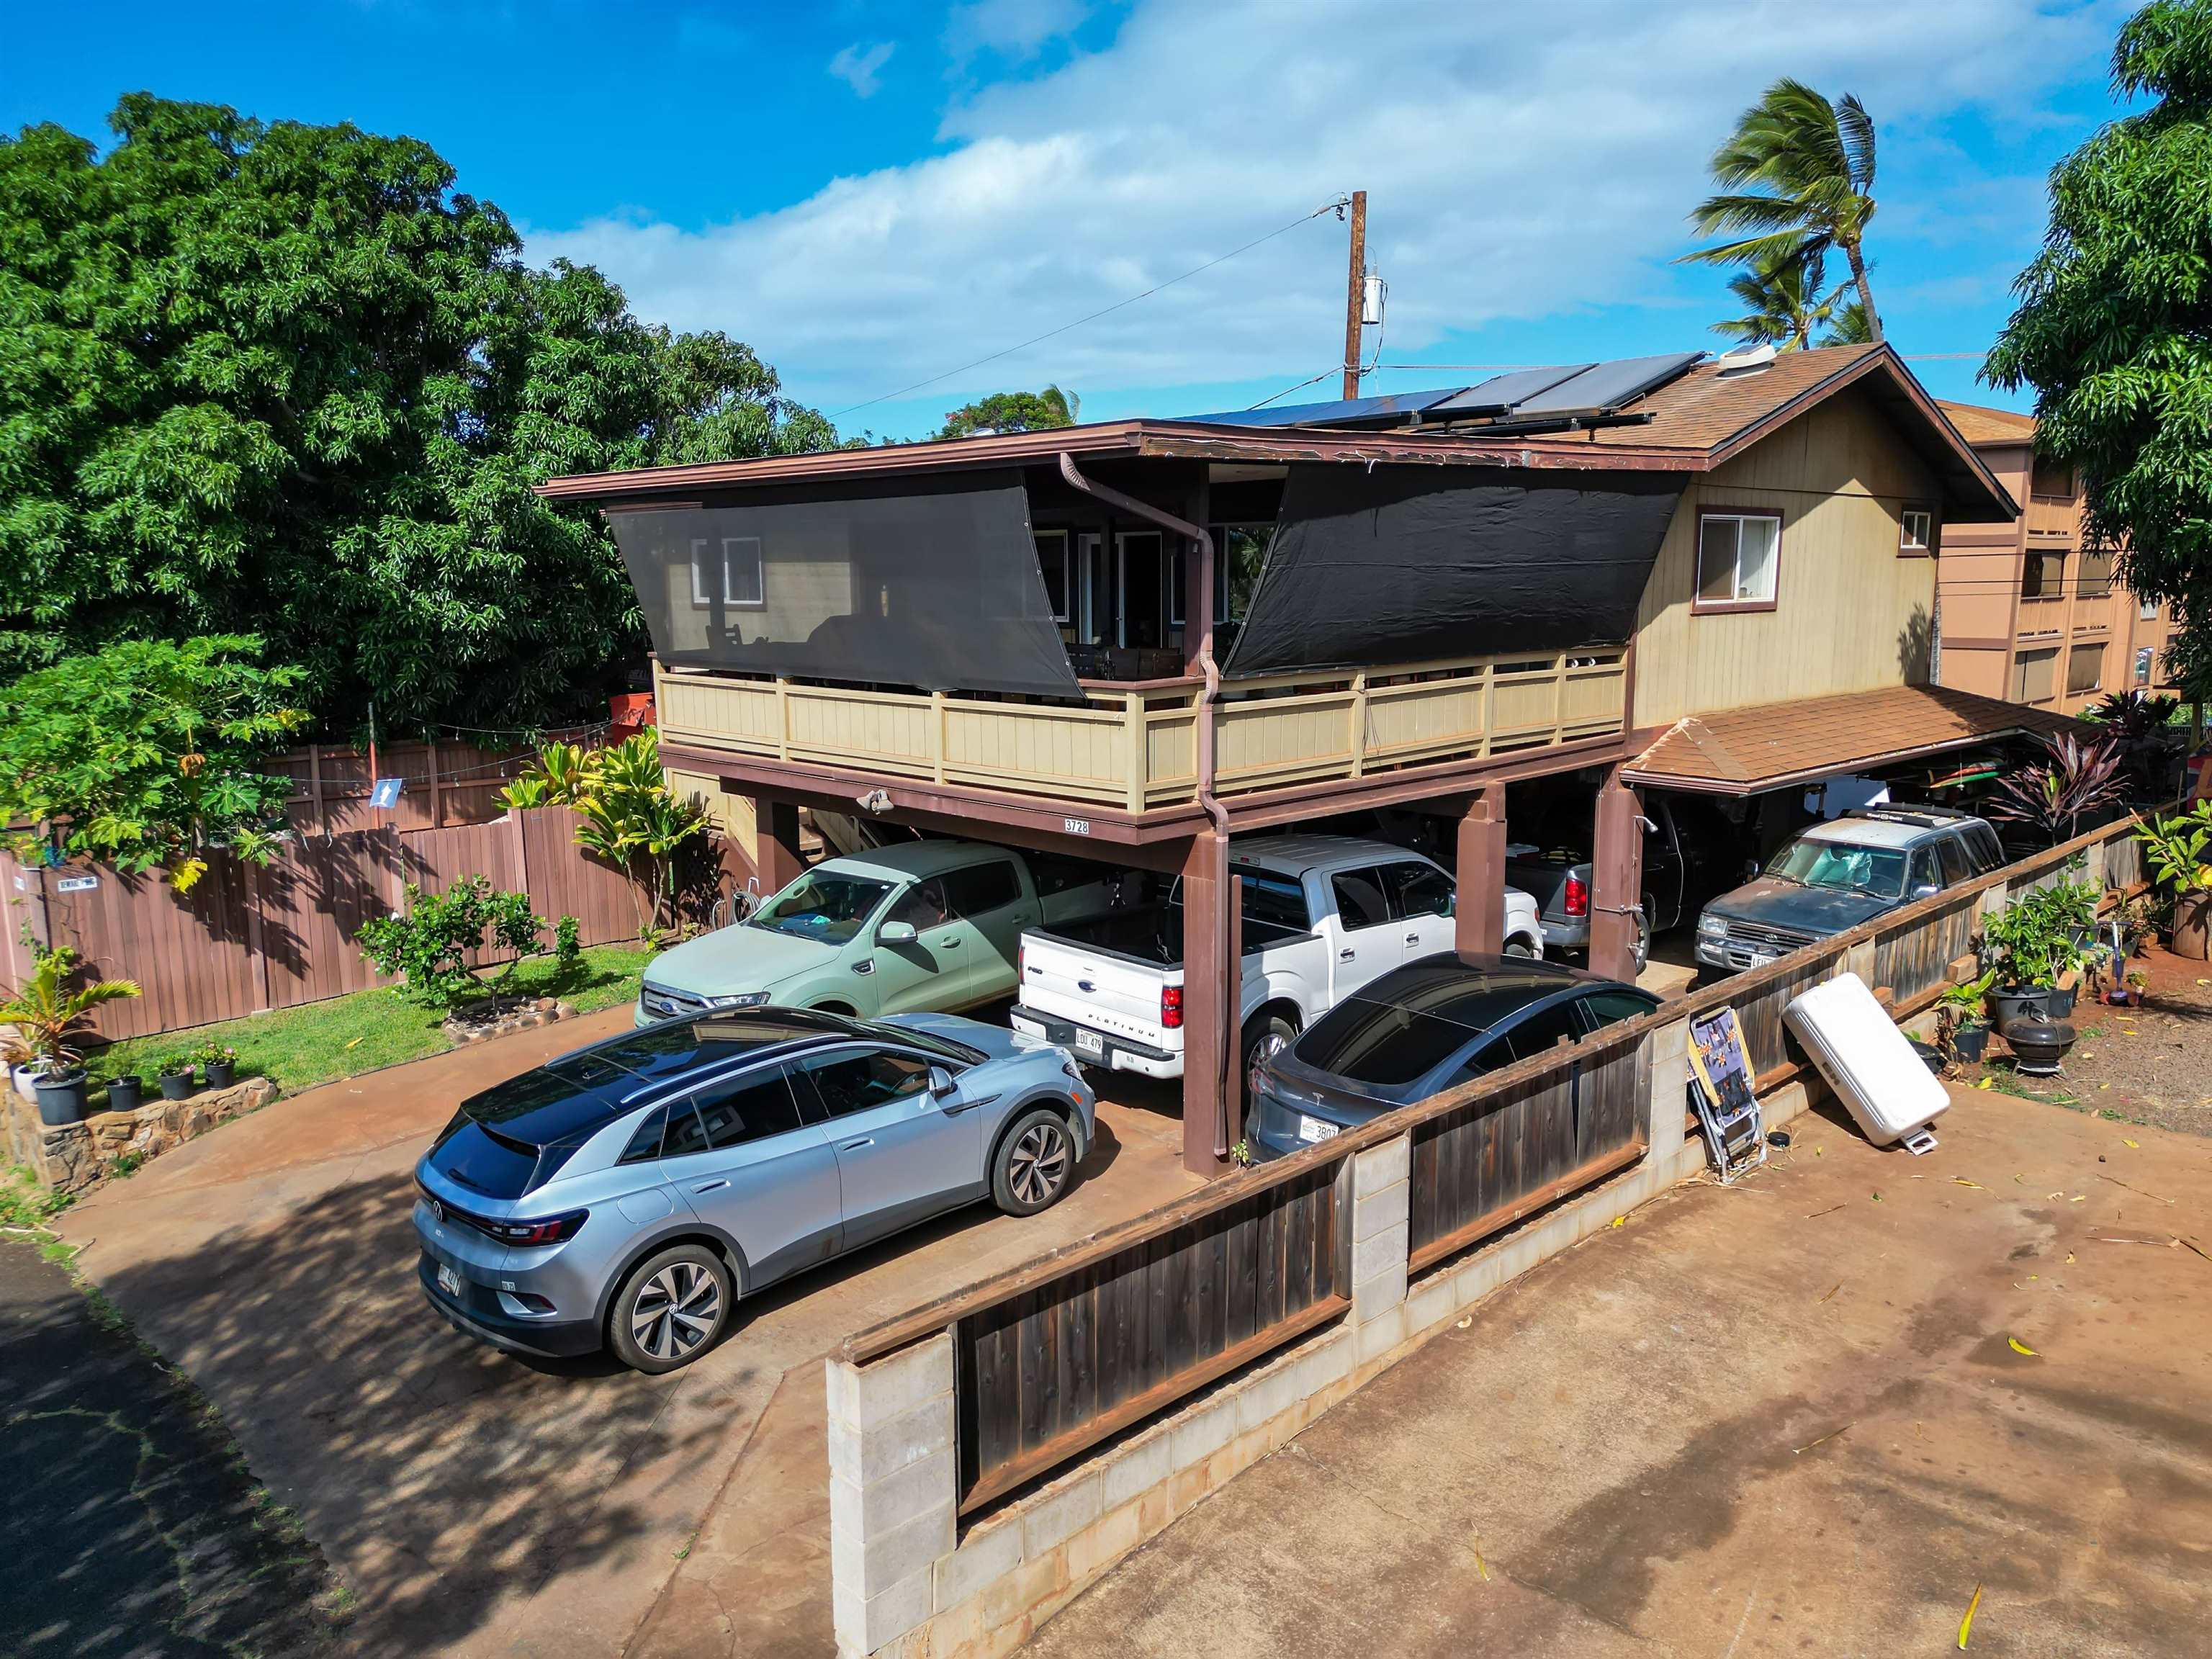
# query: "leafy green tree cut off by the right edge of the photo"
2116,324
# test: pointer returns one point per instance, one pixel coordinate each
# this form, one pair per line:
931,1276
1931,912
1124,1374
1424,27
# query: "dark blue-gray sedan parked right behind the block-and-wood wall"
1419,1032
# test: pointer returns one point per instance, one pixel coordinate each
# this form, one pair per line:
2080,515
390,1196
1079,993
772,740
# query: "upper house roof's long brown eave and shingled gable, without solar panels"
1687,426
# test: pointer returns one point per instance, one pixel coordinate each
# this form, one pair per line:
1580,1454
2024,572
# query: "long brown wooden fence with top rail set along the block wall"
1083,1344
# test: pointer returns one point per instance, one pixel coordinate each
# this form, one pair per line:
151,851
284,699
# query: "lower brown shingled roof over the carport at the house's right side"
1744,751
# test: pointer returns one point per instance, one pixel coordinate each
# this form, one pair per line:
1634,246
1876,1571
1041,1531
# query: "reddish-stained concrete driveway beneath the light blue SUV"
474,1503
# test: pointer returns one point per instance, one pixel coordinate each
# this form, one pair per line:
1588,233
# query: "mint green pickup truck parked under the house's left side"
928,926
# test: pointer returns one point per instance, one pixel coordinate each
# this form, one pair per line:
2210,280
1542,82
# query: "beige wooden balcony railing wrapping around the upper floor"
1136,747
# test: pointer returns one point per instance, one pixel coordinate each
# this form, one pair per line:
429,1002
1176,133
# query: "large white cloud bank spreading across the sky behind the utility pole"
1516,169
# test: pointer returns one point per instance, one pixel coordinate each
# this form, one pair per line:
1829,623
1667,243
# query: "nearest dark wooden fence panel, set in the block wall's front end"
1100,1346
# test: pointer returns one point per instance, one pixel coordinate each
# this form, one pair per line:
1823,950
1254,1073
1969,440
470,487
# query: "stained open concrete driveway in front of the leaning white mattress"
1780,1419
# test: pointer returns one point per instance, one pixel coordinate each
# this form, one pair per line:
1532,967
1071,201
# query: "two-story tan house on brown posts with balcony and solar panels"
1140,638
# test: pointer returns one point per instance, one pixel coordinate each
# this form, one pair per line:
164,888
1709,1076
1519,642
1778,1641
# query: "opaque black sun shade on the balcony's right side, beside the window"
1428,563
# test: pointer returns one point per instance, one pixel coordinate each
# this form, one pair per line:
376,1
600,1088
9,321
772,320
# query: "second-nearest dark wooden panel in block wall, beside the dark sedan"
1505,1156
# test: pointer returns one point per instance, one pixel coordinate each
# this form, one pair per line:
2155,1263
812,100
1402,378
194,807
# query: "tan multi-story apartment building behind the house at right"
2030,614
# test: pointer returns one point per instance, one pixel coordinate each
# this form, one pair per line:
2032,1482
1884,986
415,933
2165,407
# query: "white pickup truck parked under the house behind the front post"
1322,919
